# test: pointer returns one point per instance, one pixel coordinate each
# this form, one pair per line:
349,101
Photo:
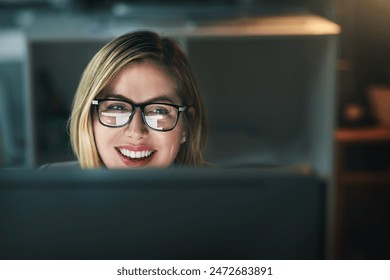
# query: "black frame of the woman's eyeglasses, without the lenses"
96,103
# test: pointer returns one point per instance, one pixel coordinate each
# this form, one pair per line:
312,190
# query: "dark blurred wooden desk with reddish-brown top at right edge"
362,229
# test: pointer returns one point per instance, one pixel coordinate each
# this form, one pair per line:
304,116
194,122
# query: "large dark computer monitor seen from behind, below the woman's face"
161,214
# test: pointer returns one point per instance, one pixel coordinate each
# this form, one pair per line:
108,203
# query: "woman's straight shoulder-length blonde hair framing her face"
132,48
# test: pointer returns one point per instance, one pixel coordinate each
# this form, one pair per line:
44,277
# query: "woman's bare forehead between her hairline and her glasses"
141,81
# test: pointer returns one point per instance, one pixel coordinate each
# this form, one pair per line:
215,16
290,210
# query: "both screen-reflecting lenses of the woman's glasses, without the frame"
157,116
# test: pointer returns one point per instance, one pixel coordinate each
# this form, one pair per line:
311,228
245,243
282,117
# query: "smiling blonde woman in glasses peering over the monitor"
138,105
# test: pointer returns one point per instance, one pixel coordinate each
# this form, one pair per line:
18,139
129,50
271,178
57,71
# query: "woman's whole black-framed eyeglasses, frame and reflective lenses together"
157,116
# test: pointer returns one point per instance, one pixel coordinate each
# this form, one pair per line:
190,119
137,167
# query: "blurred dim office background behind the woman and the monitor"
302,93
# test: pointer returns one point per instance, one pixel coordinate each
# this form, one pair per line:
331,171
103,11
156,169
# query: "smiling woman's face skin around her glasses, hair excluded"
135,145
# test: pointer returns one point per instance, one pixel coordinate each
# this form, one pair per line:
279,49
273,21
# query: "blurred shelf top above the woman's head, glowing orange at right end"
87,27
